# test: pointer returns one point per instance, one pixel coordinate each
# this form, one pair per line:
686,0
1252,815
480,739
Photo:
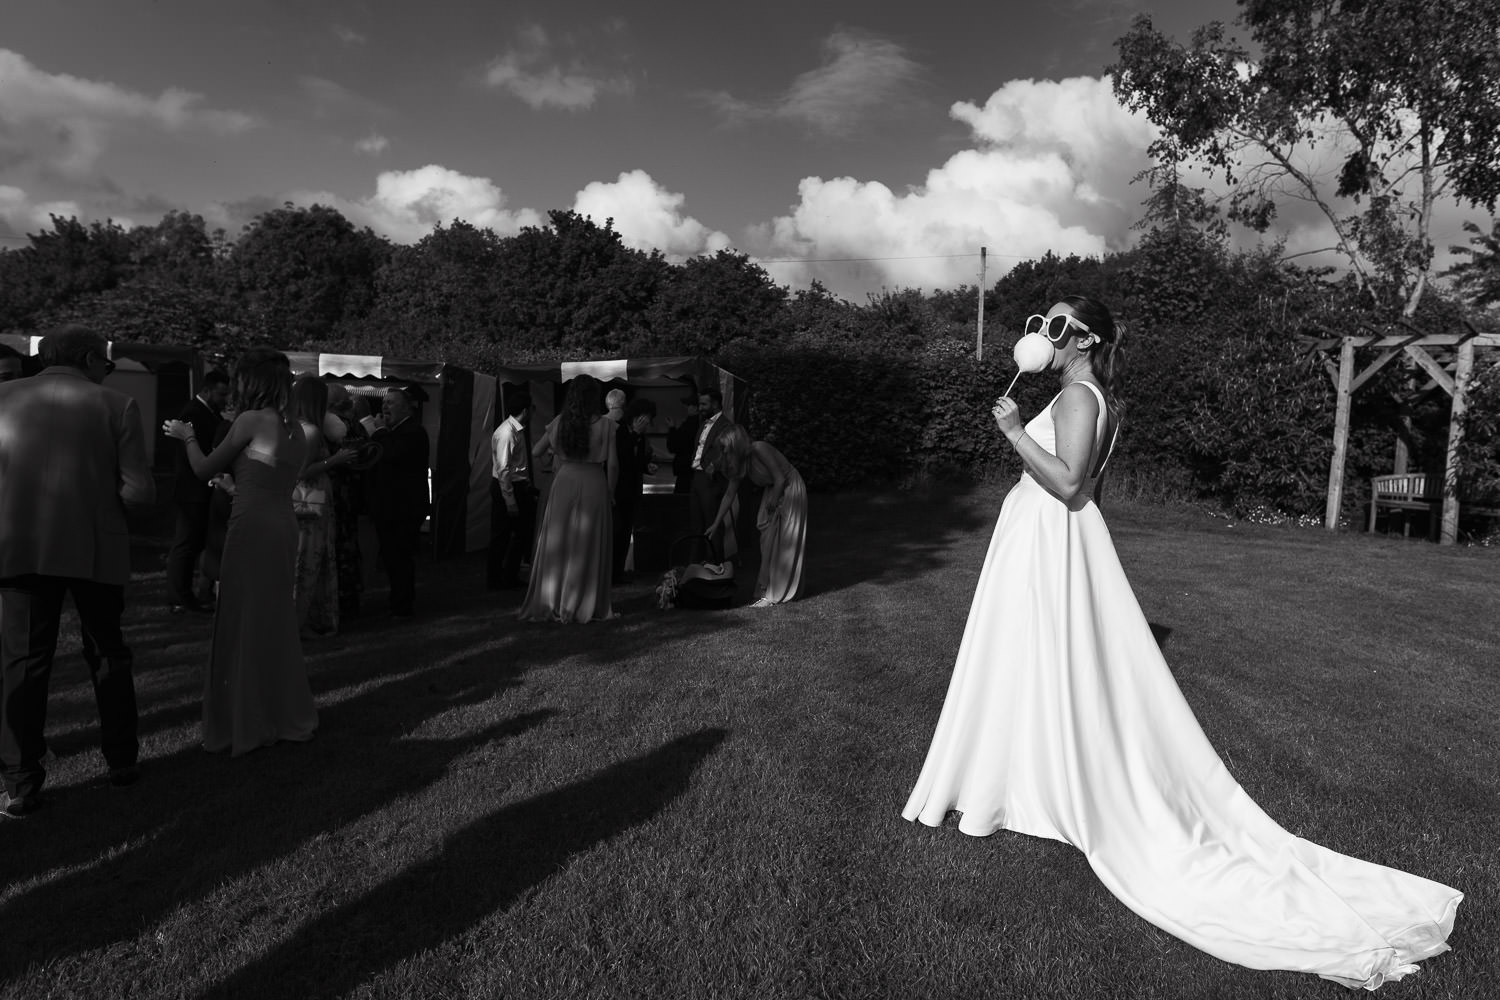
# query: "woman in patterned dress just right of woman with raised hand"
317,587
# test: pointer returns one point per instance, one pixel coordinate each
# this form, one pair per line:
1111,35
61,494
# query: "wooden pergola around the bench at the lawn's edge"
1447,359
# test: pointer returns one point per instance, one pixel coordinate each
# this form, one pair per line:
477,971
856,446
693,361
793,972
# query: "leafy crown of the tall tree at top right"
1405,92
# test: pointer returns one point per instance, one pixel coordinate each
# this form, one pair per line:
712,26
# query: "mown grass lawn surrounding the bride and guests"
688,804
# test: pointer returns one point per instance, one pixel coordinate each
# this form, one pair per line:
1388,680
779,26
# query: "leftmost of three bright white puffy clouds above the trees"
409,205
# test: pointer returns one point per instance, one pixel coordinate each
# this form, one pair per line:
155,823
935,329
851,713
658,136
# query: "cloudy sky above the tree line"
866,145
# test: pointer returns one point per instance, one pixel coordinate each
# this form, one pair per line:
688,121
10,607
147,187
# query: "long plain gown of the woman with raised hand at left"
256,689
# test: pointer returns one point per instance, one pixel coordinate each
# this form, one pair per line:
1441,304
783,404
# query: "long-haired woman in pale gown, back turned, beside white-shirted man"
571,564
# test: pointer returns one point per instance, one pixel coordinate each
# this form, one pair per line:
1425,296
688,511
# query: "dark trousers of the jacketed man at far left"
31,611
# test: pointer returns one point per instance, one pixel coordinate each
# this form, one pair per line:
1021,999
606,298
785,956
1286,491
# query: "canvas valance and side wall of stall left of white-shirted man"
460,416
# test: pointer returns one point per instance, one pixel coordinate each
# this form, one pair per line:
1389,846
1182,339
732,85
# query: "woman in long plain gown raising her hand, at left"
256,687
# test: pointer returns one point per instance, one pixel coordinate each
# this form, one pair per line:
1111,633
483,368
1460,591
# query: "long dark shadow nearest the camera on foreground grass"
481,870
